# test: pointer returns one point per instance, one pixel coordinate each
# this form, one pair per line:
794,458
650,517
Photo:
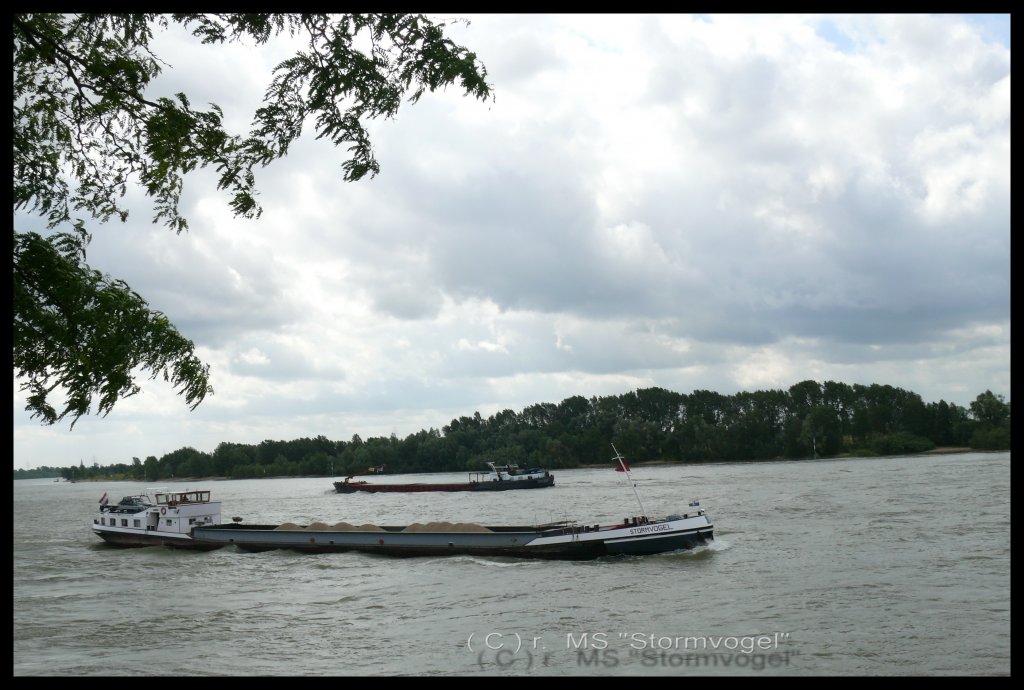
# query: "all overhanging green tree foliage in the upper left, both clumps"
87,128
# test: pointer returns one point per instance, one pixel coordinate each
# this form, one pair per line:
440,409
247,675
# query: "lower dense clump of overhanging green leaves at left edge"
78,329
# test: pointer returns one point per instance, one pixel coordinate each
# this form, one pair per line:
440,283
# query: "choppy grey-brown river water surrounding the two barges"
882,567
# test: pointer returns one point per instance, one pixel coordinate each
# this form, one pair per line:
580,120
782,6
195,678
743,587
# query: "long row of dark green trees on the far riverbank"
809,420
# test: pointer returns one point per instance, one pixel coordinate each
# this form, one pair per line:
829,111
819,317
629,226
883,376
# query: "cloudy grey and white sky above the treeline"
721,203
